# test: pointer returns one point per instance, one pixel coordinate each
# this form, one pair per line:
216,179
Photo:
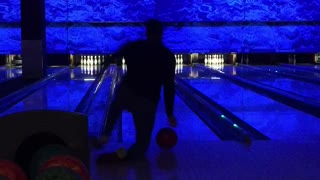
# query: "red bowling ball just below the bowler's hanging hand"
166,138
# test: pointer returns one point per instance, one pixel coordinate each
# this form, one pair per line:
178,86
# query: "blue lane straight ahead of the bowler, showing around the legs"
190,127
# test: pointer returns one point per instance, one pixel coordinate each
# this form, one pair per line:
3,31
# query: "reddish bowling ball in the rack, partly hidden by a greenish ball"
69,162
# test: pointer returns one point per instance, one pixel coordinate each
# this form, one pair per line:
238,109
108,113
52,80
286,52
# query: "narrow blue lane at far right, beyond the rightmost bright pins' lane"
298,87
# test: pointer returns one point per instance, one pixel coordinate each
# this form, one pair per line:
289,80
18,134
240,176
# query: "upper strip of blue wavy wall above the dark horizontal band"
168,10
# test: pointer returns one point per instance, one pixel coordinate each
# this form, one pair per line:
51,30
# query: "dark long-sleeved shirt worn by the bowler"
150,65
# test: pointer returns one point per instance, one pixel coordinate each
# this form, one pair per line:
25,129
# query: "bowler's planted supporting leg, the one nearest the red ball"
144,119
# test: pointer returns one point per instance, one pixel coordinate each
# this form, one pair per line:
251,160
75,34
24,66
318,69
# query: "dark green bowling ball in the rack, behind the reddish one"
44,154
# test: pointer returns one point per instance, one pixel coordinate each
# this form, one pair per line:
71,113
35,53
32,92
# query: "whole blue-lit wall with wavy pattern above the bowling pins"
101,26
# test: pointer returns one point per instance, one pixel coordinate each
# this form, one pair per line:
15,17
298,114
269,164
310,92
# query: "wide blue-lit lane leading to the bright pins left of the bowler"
62,93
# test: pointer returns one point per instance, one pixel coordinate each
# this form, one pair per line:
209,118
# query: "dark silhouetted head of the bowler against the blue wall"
154,30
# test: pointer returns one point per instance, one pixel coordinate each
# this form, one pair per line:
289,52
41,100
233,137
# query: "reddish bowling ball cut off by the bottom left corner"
11,170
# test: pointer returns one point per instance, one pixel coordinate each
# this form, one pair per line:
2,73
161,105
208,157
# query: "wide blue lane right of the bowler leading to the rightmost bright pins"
275,120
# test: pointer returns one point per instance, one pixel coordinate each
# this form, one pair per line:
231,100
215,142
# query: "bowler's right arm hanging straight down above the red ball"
169,88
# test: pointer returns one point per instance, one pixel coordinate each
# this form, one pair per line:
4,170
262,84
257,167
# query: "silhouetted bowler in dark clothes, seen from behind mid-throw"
150,66
